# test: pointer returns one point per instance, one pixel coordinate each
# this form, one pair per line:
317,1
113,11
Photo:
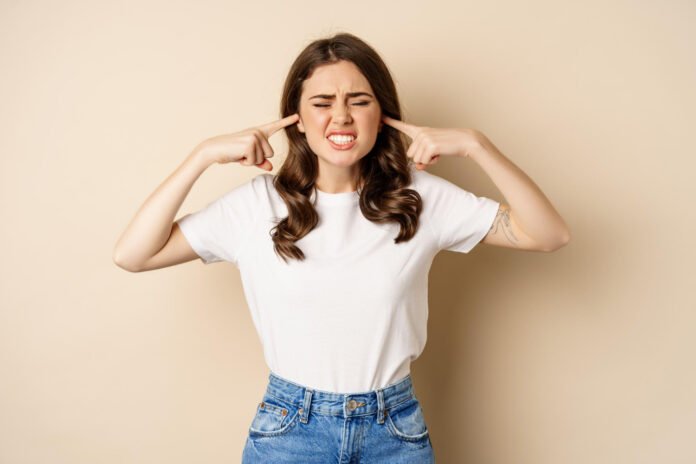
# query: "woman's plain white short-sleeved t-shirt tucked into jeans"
352,316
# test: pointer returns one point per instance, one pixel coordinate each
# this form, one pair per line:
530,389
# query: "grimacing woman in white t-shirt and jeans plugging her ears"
334,252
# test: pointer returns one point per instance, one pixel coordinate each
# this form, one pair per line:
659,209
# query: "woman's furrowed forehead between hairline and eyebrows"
339,77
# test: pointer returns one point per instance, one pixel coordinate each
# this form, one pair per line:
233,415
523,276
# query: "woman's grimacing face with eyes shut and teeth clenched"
338,97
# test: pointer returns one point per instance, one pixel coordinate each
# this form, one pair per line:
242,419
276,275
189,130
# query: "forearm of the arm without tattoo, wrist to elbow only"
151,226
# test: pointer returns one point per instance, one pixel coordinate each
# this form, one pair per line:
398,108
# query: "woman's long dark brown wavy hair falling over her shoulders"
383,173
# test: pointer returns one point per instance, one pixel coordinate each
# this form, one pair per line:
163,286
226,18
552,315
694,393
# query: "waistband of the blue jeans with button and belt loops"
340,404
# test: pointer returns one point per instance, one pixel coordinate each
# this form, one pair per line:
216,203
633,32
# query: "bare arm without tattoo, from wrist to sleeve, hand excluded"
141,246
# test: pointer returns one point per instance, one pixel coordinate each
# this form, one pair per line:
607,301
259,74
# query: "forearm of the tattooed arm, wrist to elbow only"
528,204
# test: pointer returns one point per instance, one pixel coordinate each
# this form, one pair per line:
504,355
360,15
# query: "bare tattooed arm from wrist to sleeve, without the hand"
529,212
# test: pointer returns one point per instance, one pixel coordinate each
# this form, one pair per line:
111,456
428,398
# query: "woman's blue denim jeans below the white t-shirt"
297,424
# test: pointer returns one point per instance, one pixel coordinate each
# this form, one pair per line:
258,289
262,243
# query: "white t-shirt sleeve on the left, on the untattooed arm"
219,231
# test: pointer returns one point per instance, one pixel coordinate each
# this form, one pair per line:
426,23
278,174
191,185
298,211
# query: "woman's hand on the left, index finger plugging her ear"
249,147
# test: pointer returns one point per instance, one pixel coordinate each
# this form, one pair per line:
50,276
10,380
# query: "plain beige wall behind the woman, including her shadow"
585,355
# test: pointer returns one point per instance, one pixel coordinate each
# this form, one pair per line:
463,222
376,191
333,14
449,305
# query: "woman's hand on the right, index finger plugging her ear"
429,143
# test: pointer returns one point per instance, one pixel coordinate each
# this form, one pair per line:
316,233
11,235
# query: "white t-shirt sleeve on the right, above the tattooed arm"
460,219
